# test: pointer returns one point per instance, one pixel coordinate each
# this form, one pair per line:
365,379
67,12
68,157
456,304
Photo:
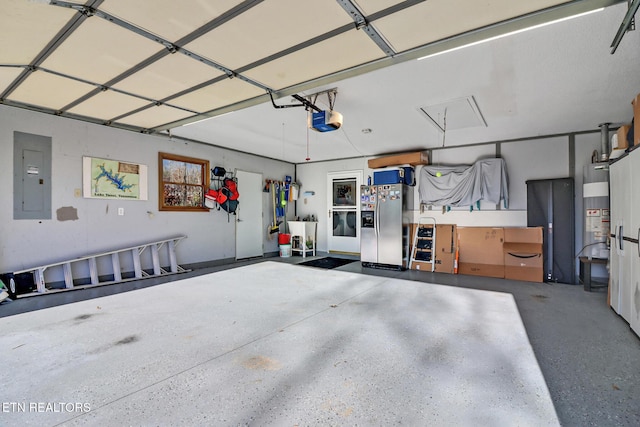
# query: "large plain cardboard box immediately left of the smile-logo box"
481,251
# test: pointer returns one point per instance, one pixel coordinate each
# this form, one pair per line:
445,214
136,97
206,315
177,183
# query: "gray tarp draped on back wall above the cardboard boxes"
464,185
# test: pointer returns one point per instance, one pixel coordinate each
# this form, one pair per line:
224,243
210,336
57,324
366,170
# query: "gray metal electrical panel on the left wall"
31,176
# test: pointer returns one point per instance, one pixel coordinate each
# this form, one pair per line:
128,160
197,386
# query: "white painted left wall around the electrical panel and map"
28,243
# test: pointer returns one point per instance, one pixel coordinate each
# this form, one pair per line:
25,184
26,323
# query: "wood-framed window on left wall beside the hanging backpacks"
183,182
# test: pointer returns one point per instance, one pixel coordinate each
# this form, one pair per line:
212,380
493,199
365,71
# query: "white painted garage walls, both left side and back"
26,243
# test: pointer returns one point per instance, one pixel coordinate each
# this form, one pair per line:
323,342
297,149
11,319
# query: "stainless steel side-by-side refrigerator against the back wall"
385,212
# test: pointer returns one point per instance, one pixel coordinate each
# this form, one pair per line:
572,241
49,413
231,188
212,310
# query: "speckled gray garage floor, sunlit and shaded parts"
290,357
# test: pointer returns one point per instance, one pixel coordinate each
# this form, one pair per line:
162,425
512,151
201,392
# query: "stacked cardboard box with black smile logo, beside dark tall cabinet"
523,254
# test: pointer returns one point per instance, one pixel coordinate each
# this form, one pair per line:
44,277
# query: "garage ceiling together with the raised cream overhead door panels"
155,66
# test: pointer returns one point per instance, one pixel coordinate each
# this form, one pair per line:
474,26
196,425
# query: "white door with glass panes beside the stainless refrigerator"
343,207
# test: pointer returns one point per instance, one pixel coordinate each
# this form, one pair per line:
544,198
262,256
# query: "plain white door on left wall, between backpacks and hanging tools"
249,227
